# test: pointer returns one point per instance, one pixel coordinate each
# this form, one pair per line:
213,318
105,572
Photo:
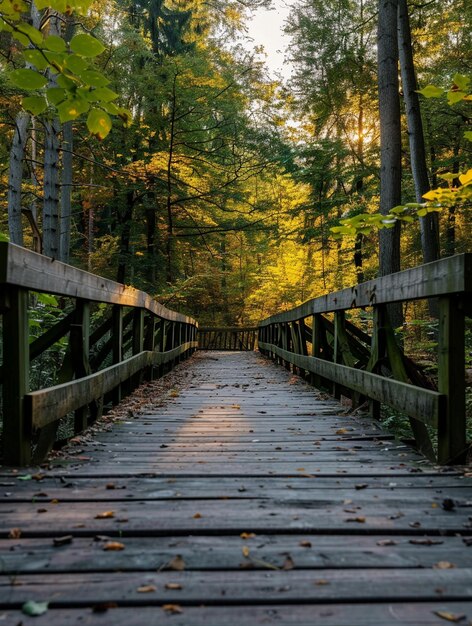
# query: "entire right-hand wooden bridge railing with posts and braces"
317,341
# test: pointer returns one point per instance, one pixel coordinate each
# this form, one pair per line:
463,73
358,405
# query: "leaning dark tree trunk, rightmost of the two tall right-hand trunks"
429,224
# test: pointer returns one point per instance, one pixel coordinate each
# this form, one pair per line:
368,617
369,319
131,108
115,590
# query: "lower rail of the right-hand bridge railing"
423,404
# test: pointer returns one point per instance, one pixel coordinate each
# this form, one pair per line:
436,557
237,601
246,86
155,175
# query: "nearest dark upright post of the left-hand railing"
17,425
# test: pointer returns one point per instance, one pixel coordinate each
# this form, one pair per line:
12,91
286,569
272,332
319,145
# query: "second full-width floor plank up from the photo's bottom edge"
243,587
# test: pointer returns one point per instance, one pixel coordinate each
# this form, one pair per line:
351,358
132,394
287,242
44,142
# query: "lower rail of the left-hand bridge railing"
49,405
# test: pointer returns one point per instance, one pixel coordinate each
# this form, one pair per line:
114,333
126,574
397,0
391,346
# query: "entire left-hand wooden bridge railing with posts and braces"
139,337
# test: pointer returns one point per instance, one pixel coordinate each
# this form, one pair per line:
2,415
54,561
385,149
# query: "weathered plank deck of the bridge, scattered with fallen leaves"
246,497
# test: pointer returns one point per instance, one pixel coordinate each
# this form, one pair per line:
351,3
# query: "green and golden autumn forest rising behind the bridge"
146,141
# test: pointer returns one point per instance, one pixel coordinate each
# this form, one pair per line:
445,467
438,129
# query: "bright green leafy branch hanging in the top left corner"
62,75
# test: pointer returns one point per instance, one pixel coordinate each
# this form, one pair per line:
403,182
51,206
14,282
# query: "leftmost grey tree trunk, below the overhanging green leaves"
15,177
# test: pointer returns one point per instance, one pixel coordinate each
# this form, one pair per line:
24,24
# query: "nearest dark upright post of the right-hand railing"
451,380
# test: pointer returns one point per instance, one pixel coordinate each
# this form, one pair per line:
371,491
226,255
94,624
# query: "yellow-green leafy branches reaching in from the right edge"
435,199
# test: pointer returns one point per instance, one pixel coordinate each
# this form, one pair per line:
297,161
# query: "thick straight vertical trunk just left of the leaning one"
390,139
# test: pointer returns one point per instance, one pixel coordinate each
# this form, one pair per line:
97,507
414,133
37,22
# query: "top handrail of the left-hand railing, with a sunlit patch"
29,270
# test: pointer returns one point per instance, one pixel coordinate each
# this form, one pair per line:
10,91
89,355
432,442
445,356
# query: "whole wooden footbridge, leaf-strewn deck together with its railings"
231,490
